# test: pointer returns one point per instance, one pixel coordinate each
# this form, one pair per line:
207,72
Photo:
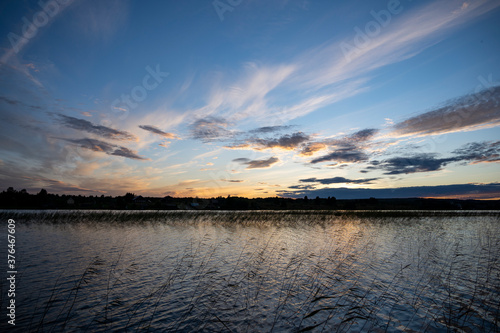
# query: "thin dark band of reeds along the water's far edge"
222,217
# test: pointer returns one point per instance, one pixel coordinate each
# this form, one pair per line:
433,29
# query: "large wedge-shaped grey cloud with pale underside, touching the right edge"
466,113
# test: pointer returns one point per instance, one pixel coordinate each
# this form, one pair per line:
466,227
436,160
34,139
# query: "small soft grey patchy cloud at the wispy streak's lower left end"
210,129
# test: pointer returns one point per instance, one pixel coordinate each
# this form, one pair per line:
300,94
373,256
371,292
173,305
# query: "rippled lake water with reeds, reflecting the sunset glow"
254,272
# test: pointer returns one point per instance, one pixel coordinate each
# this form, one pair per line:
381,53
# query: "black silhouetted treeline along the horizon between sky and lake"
14,199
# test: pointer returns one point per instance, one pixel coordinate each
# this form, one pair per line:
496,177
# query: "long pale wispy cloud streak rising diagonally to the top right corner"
325,75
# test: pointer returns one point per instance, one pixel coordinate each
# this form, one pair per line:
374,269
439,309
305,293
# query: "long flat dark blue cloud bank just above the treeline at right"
459,191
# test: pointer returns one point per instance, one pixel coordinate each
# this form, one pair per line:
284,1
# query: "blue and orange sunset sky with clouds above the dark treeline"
254,98
